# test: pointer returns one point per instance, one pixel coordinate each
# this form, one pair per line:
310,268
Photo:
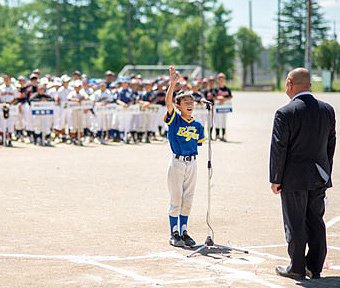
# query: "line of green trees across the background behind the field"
60,36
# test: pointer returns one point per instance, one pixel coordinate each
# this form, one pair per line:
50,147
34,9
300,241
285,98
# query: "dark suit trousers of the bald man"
303,212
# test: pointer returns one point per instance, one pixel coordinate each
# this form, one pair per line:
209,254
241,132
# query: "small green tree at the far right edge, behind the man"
327,56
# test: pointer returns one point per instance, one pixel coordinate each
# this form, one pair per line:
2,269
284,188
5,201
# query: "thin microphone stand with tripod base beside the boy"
209,242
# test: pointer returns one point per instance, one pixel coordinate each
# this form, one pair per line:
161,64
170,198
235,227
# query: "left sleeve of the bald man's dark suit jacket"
278,150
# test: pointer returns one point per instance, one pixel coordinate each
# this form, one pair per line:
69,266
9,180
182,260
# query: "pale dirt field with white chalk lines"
95,216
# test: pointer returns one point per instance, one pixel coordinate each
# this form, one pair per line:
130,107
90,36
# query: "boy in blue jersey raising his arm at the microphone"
185,134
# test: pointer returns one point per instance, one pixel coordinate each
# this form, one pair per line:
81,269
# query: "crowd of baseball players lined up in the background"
79,124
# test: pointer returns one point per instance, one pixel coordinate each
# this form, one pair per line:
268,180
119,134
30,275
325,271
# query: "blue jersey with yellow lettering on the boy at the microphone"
184,135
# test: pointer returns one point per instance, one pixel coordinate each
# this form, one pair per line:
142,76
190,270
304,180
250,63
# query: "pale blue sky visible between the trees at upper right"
264,16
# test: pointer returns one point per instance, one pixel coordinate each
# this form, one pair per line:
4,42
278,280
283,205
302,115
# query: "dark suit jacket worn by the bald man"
303,136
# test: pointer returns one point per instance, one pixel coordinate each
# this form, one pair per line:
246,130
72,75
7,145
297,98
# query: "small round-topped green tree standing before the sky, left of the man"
249,48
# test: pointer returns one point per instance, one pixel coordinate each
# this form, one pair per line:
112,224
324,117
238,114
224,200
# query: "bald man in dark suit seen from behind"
301,160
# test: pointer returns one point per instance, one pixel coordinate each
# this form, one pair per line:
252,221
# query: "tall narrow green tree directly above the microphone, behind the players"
221,45
